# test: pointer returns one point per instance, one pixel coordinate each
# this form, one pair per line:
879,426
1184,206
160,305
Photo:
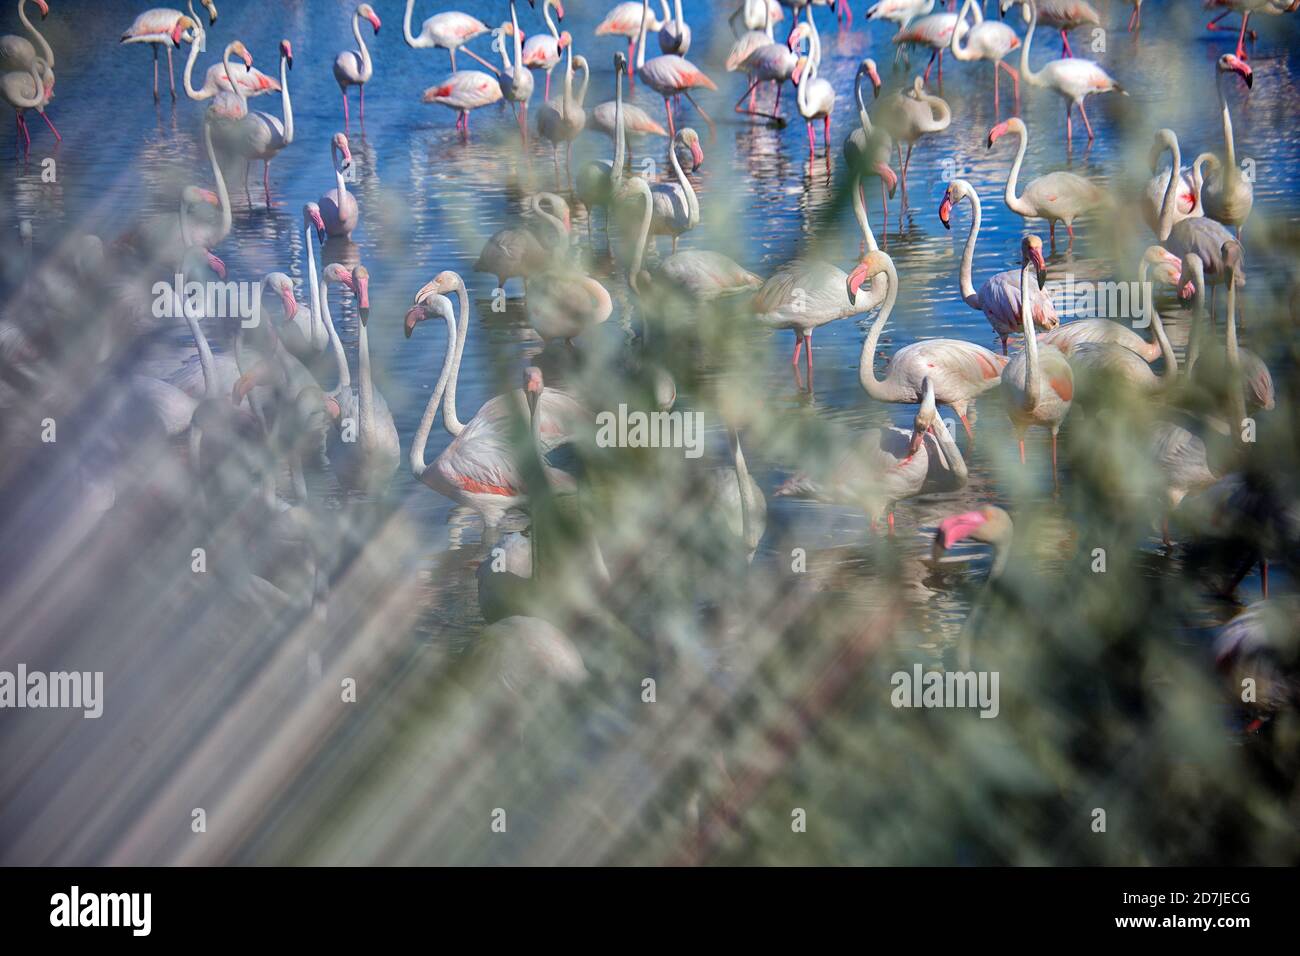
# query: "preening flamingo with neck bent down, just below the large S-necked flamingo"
886,466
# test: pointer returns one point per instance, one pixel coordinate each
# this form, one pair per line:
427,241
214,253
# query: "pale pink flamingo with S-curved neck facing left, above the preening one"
960,373
